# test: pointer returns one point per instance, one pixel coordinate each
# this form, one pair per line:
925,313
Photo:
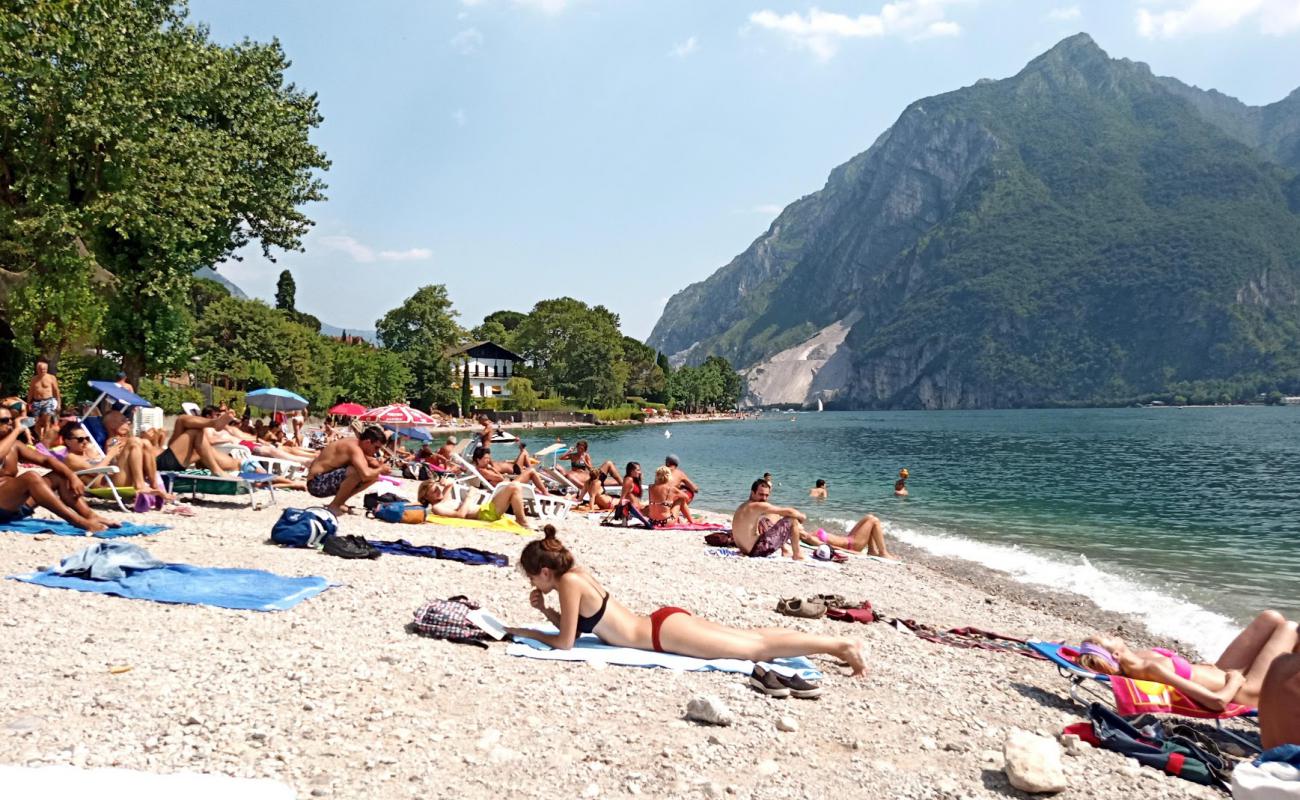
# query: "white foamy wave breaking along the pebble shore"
1164,615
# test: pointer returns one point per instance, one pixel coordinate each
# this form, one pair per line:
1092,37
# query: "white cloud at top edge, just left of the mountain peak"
821,33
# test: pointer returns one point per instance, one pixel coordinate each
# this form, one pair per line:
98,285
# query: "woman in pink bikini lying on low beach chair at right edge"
1237,677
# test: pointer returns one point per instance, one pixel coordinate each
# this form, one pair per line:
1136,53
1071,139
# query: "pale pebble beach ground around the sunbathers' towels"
335,698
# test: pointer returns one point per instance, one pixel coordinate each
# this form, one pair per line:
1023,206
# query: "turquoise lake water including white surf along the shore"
1188,517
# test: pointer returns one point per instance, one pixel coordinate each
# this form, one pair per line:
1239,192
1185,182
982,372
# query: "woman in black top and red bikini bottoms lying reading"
587,608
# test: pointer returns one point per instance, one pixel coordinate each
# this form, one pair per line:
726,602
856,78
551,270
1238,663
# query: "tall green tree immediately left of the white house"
423,328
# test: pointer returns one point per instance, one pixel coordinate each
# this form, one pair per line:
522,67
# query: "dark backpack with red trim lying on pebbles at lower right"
1151,747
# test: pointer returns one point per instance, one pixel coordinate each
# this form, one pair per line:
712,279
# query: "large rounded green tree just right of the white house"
575,351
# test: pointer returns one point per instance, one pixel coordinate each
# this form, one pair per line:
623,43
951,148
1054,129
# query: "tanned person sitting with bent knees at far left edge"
60,491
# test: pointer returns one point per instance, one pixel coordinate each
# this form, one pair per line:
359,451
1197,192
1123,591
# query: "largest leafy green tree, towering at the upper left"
133,149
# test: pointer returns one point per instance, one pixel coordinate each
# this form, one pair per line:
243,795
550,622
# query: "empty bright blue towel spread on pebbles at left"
181,583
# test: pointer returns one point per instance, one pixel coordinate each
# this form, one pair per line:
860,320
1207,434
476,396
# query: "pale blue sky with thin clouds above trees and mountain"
619,150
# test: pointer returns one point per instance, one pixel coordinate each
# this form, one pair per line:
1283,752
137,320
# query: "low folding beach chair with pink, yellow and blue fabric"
1130,698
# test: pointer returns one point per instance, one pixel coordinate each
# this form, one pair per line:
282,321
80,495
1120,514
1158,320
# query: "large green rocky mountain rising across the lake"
1081,232
